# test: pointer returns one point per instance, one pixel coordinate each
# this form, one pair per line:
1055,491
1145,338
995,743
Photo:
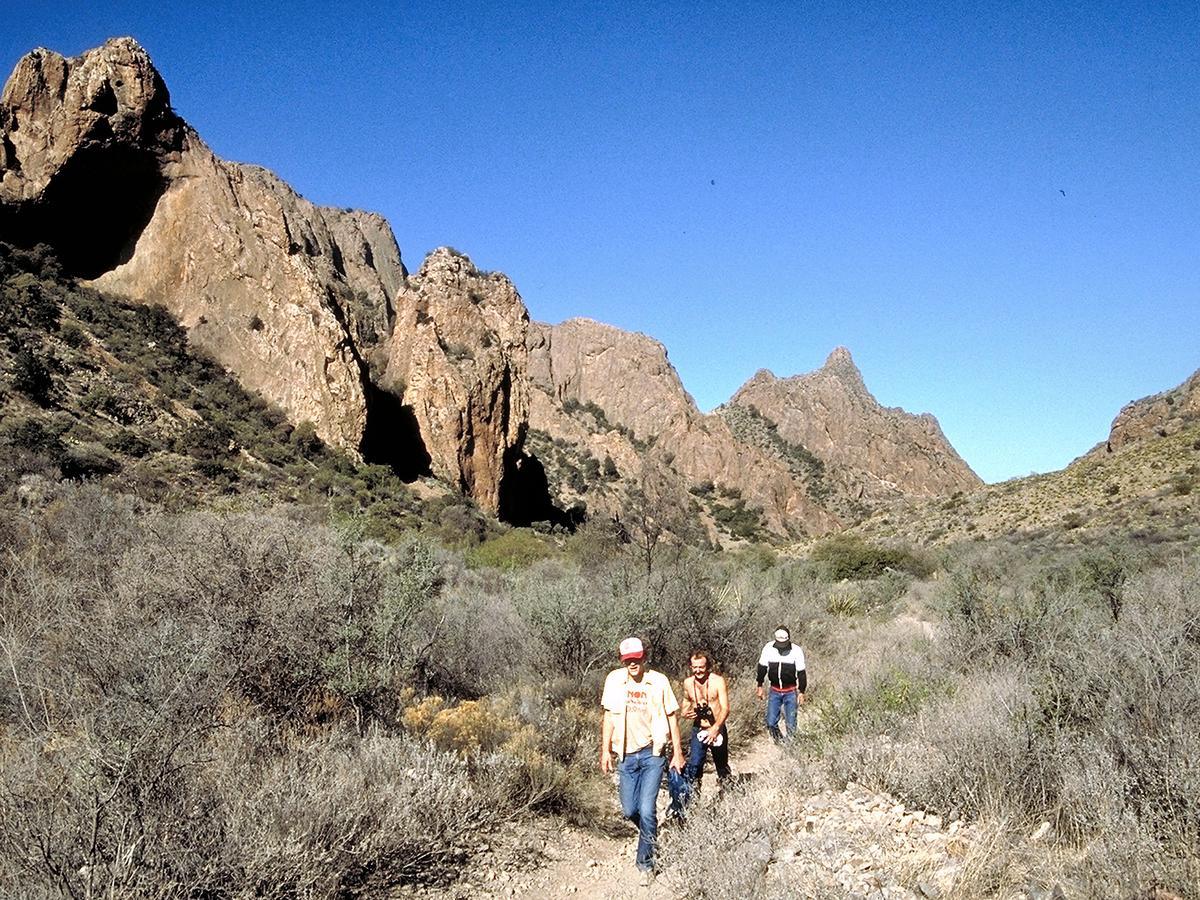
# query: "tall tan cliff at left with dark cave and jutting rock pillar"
311,307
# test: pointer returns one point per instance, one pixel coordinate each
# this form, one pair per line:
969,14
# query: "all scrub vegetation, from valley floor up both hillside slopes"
236,663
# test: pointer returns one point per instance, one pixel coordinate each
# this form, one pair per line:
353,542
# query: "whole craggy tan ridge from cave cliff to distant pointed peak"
440,373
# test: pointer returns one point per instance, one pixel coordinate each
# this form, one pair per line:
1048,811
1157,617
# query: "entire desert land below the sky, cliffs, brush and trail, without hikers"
313,569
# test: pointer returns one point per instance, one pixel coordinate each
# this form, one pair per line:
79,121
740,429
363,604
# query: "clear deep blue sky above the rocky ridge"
997,208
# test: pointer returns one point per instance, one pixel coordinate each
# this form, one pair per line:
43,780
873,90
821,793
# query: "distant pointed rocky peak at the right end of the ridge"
877,453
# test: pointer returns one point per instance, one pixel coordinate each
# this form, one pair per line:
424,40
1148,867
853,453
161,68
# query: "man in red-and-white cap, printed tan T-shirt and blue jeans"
641,716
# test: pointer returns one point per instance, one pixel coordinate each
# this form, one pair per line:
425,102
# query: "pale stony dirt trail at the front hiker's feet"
853,843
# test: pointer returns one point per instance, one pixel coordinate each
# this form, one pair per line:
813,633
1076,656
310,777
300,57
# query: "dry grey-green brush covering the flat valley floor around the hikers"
260,703
